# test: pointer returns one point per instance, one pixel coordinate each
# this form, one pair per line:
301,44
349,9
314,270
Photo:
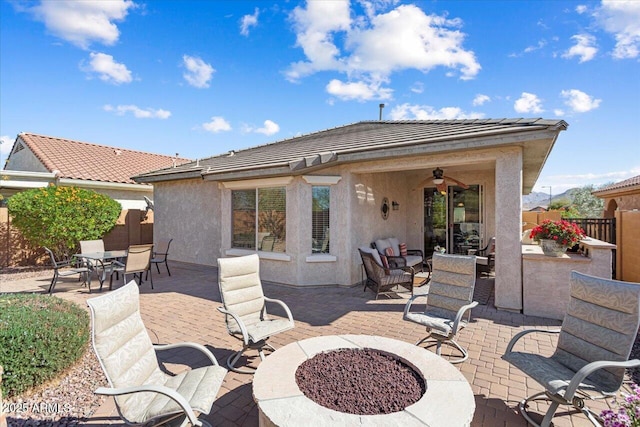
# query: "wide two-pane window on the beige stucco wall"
259,219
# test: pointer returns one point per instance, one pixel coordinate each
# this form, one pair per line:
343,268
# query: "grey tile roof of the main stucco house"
340,144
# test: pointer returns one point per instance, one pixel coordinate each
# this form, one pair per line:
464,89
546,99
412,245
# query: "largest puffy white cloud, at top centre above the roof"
376,45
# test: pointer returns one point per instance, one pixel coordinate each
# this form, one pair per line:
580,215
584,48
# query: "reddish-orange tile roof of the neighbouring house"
82,160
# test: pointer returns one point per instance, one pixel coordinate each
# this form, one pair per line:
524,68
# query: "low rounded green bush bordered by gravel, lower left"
40,337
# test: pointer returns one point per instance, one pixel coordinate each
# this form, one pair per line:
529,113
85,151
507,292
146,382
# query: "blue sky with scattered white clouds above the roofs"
199,78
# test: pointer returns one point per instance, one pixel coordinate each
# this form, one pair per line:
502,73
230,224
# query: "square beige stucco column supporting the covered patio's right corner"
508,209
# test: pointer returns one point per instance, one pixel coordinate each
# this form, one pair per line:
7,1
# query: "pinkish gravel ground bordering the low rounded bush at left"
67,401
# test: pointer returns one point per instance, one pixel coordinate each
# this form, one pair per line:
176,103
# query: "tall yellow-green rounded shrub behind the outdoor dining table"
59,217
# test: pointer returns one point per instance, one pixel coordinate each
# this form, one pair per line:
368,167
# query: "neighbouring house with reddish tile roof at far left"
38,160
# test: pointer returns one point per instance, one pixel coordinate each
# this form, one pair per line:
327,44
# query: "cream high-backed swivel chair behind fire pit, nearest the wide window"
244,307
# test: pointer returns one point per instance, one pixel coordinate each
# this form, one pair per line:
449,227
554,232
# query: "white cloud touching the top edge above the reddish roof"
83,22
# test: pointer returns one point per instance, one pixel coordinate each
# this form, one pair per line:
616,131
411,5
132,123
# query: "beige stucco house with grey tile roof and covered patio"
305,204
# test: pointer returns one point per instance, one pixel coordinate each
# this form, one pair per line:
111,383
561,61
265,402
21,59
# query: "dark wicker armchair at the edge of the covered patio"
381,278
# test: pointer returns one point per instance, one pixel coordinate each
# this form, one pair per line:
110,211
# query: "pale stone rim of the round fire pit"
447,400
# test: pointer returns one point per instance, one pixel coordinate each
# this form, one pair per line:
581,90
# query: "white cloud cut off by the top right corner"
622,19
